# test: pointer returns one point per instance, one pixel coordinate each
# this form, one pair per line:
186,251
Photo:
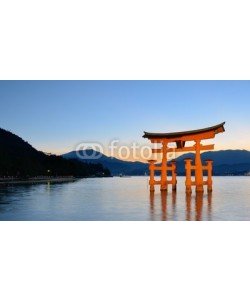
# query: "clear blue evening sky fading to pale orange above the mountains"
55,116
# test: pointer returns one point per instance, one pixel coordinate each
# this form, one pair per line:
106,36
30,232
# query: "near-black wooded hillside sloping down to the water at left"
19,159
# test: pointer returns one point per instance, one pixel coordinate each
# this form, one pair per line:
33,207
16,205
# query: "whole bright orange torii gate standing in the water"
180,139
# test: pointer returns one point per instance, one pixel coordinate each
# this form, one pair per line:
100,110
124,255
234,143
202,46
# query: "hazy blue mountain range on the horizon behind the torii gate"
228,162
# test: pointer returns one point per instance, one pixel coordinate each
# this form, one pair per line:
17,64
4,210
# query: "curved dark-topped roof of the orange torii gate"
208,132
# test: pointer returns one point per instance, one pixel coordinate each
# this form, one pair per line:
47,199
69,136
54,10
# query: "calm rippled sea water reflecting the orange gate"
125,199
